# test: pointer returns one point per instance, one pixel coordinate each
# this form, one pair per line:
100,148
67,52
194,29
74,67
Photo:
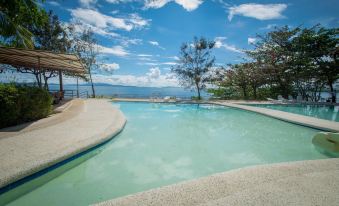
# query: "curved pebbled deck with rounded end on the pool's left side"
83,124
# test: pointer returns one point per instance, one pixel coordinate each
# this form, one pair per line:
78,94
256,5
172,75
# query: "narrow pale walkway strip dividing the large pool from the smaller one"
286,116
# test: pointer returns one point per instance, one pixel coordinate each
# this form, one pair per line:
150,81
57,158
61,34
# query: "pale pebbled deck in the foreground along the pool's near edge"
313,182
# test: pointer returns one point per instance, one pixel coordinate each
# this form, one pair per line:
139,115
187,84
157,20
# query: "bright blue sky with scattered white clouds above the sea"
139,40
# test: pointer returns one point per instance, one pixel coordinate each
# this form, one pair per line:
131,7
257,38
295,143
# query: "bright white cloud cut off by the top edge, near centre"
189,5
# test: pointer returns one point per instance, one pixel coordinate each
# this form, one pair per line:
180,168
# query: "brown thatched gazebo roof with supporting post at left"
42,60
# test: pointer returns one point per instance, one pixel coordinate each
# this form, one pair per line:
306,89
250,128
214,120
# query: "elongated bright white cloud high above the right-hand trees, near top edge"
258,11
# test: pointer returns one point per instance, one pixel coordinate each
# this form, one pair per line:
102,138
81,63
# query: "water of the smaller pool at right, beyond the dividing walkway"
323,112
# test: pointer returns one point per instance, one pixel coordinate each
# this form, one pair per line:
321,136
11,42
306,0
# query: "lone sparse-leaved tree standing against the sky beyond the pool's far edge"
194,64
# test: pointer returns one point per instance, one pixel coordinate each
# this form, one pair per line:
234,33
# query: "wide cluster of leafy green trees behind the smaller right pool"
285,61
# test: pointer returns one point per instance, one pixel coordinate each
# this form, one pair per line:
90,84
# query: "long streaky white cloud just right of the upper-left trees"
105,22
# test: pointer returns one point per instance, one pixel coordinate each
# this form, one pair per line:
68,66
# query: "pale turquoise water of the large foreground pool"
166,143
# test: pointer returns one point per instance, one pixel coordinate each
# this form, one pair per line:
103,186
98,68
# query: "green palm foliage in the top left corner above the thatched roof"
15,18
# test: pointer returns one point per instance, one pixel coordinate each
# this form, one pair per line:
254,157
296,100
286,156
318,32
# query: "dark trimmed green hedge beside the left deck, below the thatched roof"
20,104
